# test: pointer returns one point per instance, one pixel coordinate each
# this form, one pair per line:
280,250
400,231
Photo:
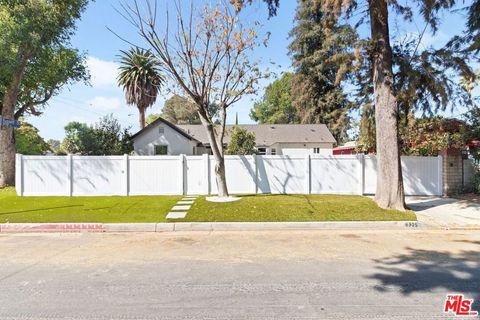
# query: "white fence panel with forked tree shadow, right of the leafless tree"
281,174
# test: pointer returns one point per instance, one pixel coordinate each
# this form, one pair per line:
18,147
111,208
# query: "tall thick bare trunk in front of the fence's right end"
390,193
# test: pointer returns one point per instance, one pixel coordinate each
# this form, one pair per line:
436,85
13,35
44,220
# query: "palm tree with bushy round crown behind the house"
140,78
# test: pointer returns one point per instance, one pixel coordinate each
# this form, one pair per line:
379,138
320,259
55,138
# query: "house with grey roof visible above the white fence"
164,138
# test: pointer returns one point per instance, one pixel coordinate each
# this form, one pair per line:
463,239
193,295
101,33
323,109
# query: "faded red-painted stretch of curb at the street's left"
51,227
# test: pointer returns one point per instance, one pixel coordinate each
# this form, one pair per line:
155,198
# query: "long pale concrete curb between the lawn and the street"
208,226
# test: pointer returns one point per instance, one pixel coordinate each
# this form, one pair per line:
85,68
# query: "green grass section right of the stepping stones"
263,208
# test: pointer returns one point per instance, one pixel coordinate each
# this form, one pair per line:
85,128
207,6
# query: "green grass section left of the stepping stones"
83,209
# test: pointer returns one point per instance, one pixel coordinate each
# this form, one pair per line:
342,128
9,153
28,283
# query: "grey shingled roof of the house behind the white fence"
265,134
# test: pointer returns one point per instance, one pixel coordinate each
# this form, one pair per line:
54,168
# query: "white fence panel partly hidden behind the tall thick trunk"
421,175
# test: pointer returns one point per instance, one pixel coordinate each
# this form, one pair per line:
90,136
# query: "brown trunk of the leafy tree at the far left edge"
7,137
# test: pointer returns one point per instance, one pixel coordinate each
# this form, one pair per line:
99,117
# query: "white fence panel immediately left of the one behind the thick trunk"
336,175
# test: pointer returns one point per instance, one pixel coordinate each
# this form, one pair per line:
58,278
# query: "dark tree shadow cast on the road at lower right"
425,270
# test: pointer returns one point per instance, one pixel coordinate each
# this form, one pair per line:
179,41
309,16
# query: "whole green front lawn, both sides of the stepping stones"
154,209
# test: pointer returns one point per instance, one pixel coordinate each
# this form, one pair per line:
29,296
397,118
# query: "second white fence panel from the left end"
98,175
